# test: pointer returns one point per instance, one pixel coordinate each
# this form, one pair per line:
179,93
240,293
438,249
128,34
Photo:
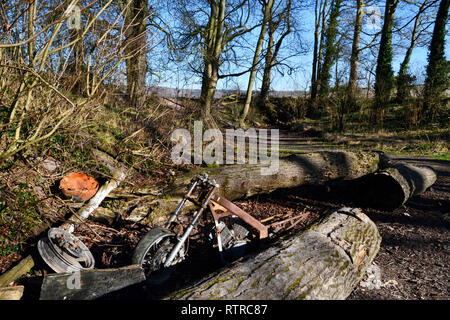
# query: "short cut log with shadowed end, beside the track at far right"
391,187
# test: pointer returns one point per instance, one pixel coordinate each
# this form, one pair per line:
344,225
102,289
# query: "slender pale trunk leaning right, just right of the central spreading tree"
267,11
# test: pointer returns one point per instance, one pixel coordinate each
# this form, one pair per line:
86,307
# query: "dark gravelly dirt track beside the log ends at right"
415,250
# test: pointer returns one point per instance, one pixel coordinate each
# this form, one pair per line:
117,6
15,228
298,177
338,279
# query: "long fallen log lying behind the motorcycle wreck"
243,181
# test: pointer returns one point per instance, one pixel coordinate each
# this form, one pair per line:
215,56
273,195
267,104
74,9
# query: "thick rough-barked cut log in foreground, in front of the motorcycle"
325,262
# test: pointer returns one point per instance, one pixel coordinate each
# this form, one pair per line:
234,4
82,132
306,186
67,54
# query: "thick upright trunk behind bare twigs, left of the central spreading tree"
136,24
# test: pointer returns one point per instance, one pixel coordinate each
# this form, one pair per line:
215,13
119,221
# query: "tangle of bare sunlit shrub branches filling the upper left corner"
39,106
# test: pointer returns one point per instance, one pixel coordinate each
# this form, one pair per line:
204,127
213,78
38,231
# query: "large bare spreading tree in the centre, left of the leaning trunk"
207,36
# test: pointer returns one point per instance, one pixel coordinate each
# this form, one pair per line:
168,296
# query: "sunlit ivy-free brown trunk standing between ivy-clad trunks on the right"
354,58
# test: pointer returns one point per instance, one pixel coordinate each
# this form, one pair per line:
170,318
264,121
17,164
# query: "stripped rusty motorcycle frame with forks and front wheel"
161,249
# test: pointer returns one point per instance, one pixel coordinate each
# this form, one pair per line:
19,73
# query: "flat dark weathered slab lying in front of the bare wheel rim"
90,284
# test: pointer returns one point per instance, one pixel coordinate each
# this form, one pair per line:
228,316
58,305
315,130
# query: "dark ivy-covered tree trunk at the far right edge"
438,68
